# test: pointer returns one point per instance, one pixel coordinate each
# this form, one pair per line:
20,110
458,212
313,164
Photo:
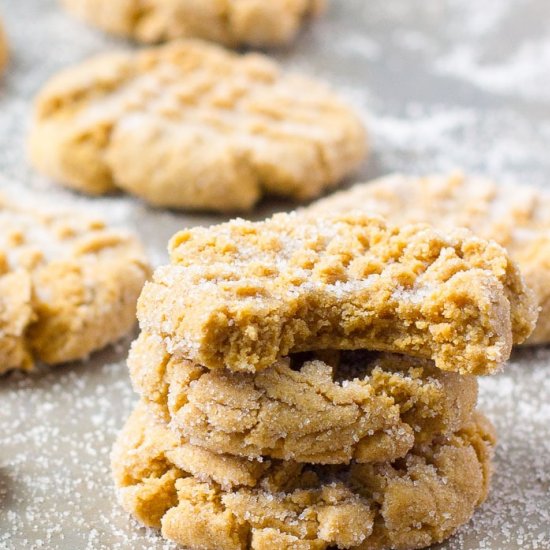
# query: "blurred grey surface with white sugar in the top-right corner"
443,85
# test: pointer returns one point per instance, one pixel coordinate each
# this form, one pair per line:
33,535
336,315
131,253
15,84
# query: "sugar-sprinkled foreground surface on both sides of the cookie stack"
58,427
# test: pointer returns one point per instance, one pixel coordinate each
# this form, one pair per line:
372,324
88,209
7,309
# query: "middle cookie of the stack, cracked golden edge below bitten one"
329,408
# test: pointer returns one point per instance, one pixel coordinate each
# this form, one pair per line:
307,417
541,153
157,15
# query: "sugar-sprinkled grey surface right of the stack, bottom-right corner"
517,513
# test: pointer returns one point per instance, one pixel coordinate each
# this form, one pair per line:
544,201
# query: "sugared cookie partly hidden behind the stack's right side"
515,216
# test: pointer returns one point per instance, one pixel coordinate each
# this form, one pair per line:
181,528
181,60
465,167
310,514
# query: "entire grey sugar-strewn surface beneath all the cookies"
452,83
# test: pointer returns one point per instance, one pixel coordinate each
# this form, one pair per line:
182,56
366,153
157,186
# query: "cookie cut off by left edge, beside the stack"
68,285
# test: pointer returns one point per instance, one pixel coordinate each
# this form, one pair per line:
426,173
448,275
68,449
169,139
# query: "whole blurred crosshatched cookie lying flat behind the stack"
191,125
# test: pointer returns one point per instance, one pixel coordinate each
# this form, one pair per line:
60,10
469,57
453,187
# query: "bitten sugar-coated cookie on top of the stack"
241,295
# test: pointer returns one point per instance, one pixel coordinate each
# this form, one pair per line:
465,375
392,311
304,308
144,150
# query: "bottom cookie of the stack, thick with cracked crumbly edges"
213,502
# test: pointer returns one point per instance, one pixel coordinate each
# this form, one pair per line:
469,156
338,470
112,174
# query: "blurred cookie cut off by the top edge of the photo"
229,22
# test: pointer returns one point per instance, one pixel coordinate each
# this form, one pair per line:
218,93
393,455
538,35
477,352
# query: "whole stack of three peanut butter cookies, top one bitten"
309,383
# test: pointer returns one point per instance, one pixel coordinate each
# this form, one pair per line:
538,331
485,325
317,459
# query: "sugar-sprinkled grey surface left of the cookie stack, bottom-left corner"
58,426
